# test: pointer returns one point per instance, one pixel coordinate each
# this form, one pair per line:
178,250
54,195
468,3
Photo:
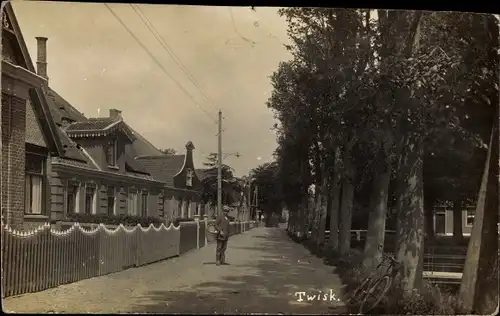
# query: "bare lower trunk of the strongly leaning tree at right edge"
479,287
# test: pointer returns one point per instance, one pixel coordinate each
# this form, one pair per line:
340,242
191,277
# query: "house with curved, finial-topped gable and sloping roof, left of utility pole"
182,186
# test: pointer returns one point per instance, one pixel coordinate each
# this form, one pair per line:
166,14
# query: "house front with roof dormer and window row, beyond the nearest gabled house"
113,183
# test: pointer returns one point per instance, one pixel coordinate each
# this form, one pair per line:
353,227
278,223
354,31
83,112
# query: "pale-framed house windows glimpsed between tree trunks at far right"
443,220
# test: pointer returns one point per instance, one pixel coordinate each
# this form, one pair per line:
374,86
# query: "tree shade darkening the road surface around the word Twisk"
264,283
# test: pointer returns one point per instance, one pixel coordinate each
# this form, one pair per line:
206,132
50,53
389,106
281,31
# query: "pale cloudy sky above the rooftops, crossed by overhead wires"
96,65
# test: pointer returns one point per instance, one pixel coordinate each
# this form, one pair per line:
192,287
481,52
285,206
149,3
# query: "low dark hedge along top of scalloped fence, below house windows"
114,219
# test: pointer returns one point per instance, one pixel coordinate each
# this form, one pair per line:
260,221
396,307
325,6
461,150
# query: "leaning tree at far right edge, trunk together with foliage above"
479,287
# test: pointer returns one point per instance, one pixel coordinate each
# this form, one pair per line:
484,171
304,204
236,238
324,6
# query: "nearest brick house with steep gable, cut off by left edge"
29,136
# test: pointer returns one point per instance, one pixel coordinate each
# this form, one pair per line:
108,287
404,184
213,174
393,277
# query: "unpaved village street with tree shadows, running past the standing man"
265,271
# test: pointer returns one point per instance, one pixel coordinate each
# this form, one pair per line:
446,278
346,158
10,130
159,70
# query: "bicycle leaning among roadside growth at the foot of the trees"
372,289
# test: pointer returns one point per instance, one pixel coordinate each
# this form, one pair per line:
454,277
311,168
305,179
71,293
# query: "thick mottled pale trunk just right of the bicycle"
410,233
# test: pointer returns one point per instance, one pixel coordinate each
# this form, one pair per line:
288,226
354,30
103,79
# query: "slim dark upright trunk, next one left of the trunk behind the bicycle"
346,217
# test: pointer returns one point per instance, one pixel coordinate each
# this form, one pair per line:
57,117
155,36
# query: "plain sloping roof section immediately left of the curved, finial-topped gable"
163,167
